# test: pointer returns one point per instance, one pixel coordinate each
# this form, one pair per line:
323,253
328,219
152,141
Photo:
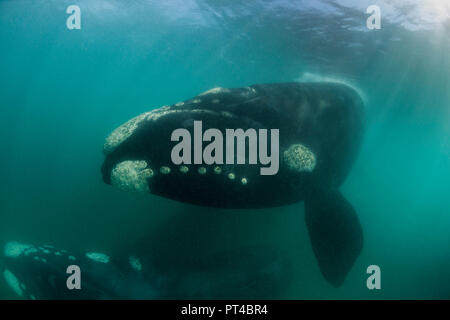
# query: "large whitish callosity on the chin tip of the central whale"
131,176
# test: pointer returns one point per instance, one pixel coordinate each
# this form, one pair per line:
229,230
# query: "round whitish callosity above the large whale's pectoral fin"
299,158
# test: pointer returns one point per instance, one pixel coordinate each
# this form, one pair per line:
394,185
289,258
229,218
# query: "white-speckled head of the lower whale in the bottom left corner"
44,272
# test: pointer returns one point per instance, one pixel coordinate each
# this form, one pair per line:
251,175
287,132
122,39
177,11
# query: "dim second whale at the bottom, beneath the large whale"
40,272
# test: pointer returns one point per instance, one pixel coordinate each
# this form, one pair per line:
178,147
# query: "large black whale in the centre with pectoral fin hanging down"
320,132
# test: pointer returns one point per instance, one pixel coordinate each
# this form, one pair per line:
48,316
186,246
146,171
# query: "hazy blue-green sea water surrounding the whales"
63,91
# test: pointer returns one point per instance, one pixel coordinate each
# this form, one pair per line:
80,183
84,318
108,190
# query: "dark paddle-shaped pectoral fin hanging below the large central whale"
335,233
